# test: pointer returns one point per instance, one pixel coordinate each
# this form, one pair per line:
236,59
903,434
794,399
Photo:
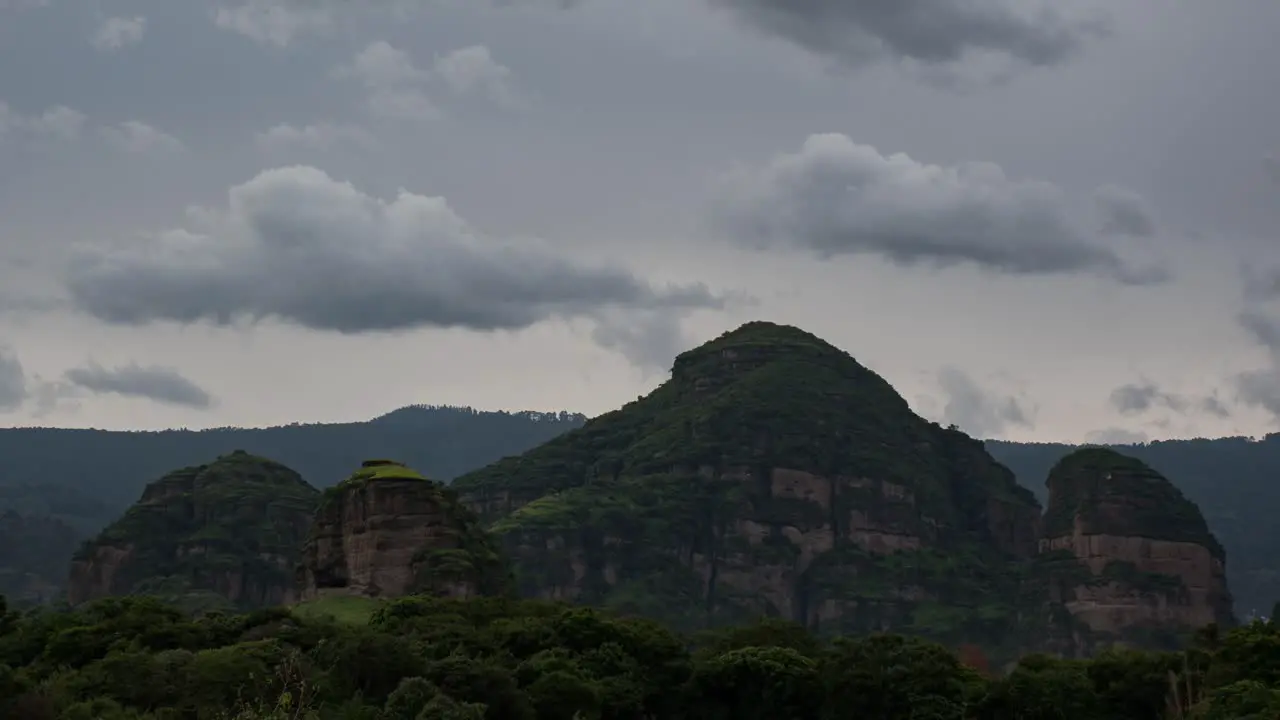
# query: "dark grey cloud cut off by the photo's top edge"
931,33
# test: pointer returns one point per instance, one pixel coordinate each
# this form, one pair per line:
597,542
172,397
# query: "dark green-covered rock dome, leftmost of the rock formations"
228,532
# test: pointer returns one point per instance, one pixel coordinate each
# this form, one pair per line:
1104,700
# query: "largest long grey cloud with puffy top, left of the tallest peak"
298,245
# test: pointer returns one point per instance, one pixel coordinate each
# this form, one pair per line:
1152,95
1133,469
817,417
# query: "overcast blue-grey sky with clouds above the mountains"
1039,221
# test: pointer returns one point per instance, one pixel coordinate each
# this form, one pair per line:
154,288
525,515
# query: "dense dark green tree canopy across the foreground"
431,659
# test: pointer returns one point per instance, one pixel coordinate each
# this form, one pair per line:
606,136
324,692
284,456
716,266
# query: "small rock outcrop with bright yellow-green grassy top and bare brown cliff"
388,532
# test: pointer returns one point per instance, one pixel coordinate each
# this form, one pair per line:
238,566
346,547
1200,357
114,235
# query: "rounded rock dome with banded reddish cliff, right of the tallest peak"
1146,567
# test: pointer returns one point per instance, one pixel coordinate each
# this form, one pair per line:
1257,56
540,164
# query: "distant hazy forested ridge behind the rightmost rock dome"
1235,481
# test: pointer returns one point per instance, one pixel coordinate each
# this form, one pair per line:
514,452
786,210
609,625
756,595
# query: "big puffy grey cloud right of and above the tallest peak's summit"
839,198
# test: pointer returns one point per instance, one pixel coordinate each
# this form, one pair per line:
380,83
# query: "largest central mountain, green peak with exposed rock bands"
772,475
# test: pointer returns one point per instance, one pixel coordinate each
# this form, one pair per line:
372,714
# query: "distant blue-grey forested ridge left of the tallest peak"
113,467
